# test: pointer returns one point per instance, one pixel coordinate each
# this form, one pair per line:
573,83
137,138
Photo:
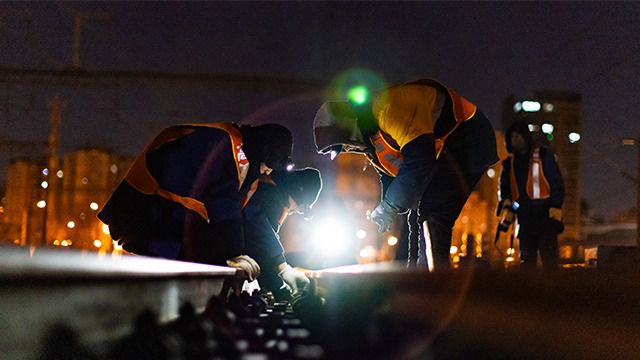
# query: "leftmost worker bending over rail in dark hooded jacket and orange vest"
184,195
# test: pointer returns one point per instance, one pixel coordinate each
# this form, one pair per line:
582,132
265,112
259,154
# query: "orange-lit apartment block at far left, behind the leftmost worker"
58,207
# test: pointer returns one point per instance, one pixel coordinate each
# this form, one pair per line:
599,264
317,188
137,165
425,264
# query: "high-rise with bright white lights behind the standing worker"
555,119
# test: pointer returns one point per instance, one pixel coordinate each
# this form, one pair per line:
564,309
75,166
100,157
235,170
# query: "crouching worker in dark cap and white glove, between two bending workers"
280,194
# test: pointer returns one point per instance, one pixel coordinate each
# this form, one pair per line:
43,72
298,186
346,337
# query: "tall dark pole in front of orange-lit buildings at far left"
56,107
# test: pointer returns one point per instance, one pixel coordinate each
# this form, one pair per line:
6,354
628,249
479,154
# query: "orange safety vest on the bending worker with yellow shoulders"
388,157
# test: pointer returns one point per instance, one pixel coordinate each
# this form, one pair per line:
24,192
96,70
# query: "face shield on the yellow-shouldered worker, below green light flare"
336,129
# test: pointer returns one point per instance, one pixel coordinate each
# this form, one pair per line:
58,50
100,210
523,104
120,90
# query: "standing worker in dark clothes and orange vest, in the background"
531,178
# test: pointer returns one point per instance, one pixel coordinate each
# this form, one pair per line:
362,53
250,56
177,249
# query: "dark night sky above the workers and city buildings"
486,51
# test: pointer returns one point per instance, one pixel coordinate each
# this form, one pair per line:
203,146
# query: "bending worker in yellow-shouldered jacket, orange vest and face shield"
430,145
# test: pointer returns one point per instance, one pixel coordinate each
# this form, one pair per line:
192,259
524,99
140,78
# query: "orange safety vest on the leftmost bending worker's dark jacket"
141,179
